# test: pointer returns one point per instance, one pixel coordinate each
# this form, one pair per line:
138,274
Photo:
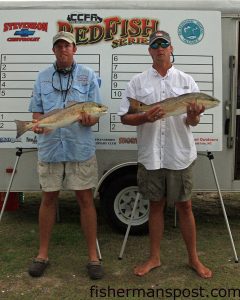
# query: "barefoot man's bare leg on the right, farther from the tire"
188,229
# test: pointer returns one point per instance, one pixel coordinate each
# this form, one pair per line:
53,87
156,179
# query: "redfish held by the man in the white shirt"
175,105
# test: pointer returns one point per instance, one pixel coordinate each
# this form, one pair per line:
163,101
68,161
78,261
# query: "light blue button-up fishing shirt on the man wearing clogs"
74,142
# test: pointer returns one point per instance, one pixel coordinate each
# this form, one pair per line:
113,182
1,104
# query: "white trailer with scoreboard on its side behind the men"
112,39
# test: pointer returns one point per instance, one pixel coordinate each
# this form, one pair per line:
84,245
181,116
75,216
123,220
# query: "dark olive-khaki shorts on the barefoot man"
173,185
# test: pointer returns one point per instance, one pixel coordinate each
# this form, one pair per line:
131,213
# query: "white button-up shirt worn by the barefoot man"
168,142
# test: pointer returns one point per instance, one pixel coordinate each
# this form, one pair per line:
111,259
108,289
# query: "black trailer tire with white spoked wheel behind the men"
117,201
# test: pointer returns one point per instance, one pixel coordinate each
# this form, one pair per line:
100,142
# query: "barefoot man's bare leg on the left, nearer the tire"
156,228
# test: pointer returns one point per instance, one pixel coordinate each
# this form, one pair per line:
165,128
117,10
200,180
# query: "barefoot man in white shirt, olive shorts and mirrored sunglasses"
166,149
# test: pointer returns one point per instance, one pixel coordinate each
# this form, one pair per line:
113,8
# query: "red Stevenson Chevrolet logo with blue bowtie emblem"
25,31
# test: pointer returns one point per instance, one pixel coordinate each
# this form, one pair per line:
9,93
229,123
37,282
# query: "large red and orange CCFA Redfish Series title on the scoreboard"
121,32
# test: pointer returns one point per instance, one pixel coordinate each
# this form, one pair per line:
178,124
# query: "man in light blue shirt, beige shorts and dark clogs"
66,156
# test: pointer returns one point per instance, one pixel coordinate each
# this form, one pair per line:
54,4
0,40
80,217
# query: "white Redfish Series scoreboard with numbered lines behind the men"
114,44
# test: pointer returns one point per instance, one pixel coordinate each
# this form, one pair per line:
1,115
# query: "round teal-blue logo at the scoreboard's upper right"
191,31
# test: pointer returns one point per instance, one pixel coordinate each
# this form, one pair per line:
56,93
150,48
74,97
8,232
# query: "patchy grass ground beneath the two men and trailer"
66,278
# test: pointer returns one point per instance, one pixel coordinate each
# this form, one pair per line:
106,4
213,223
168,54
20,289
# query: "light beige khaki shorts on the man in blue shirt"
68,175
